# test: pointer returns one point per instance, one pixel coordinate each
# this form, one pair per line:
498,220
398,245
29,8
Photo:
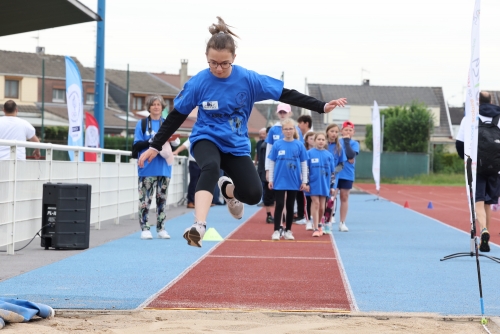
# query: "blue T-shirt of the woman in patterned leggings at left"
159,166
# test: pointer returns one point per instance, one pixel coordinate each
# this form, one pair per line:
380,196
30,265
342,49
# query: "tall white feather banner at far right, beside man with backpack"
472,102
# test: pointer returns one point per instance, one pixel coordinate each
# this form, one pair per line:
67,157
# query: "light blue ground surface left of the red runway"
120,274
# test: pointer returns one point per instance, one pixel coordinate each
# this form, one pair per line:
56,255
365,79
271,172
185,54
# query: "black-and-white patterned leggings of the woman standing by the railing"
147,185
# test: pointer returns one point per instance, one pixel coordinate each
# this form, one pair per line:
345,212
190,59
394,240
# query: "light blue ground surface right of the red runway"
392,259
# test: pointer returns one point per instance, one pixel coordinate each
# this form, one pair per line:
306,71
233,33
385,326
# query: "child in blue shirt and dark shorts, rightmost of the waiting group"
346,175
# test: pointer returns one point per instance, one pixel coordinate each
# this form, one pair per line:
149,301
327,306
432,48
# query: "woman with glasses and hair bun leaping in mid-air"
224,94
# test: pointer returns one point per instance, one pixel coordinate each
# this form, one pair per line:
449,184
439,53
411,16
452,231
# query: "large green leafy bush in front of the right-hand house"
406,129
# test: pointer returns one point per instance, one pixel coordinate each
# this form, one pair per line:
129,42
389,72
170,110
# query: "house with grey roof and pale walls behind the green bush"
360,99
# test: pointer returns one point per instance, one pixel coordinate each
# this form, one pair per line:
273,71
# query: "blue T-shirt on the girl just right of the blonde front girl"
321,167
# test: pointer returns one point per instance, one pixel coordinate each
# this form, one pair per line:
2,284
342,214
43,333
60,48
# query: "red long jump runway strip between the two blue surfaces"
249,271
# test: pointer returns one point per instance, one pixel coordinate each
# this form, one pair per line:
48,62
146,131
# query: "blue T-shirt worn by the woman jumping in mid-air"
224,106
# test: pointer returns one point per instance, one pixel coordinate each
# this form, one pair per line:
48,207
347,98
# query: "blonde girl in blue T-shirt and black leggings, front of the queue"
287,175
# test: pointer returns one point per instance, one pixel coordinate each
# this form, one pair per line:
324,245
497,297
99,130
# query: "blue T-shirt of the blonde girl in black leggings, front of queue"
287,156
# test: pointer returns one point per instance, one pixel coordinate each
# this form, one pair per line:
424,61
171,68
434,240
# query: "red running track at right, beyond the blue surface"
450,204
